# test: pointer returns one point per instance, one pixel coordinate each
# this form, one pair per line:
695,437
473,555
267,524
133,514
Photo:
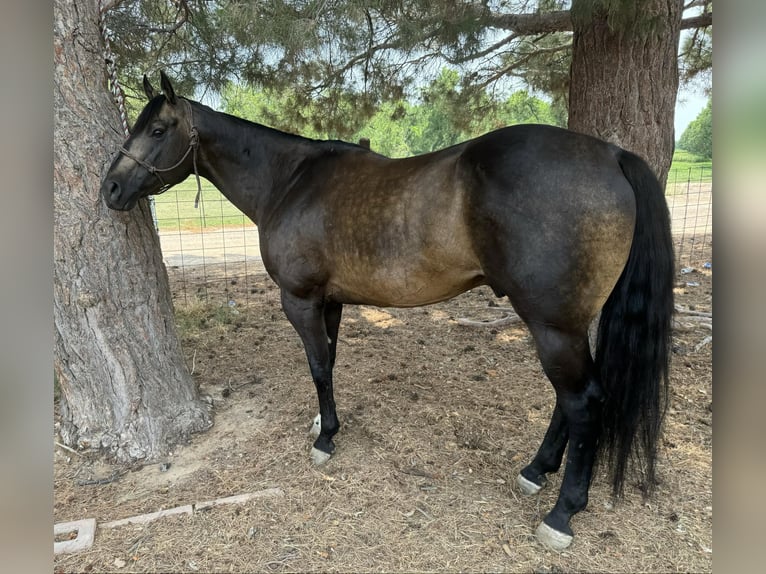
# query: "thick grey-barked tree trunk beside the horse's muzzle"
125,387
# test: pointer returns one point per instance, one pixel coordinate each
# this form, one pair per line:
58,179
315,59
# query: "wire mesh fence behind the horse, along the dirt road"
212,253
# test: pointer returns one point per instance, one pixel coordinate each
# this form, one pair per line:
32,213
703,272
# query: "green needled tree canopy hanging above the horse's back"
348,57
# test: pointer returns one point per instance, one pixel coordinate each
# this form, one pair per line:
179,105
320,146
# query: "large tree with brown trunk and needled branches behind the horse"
613,63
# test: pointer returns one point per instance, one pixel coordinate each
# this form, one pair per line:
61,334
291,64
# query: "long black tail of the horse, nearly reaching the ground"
634,334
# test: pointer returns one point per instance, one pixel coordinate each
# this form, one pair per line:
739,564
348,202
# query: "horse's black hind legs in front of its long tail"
567,363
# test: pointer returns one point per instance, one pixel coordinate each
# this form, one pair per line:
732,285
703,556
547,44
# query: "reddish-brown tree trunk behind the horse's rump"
624,78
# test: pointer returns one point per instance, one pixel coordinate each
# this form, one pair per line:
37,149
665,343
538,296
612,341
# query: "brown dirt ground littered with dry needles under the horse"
437,420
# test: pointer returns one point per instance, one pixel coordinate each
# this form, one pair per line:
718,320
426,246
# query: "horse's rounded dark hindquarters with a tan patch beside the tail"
552,230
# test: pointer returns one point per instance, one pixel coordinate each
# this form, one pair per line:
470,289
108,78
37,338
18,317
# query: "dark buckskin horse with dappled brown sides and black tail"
566,226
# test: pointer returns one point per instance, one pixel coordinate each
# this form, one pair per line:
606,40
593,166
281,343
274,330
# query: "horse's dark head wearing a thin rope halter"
159,152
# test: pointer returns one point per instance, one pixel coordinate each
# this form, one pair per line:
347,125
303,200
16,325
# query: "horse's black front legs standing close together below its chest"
317,324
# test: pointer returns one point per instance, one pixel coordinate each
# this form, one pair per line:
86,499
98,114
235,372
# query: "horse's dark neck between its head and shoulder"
250,164
